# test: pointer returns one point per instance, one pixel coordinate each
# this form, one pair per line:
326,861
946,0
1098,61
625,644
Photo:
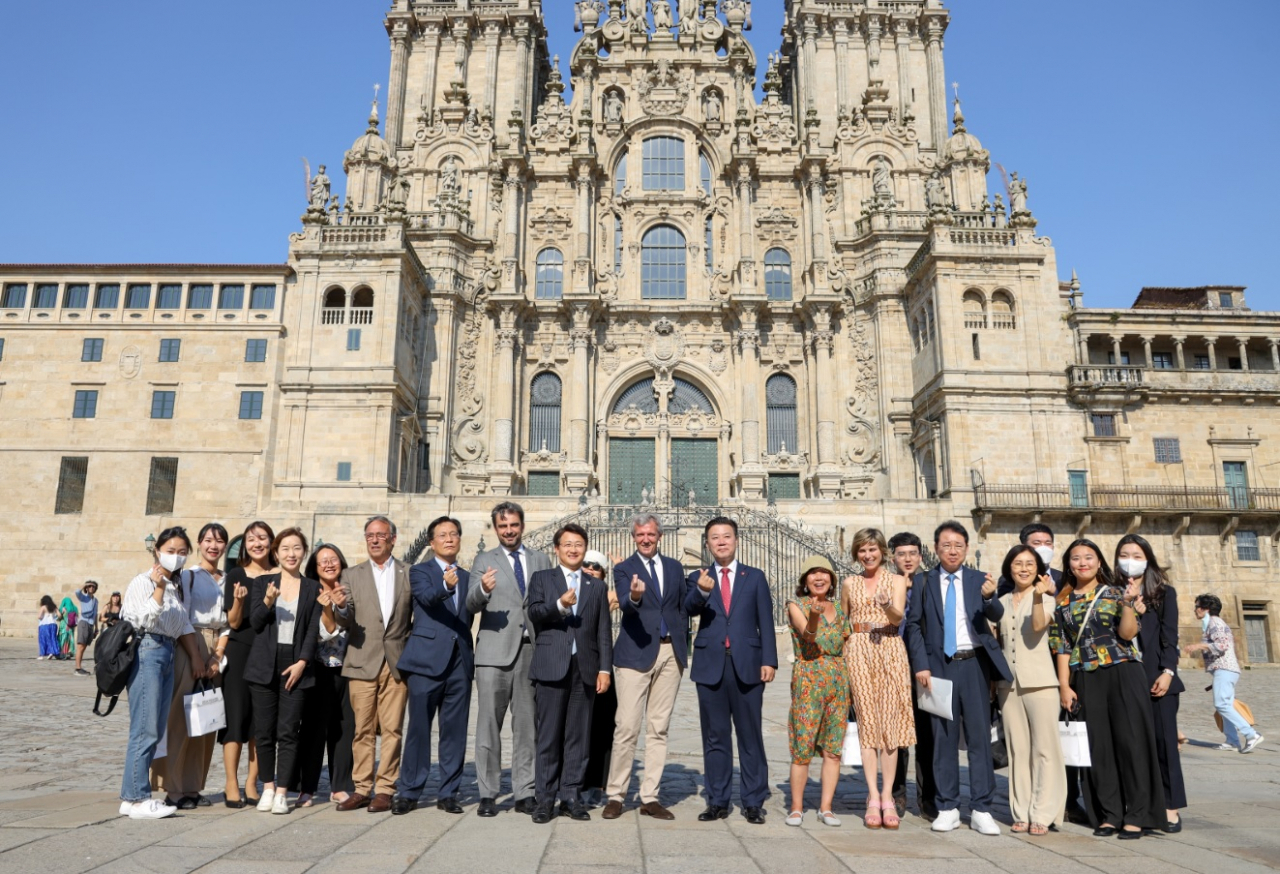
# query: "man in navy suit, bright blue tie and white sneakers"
949,637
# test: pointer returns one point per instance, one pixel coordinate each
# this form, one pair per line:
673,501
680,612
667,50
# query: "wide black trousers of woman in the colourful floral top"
1123,788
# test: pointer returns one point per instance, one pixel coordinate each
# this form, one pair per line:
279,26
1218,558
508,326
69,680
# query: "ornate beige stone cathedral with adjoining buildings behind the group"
811,310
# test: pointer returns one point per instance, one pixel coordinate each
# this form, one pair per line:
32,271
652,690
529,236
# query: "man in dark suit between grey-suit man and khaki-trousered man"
570,611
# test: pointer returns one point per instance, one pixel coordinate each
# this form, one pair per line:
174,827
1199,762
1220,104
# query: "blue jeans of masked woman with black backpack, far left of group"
150,693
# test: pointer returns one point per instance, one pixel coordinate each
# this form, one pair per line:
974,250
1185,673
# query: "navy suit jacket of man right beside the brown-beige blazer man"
440,628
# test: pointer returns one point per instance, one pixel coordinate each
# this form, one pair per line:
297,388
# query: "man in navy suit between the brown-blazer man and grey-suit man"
438,663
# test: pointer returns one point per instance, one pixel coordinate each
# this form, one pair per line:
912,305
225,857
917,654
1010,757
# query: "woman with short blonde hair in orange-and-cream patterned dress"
880,676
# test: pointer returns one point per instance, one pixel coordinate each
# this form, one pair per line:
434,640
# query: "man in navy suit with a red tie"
735,656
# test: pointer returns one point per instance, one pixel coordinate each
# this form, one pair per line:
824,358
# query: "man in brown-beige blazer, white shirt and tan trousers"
377,612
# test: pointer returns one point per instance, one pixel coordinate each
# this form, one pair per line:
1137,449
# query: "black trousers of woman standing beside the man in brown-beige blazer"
328,726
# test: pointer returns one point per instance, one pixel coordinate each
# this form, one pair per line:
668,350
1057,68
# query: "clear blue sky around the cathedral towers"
172,132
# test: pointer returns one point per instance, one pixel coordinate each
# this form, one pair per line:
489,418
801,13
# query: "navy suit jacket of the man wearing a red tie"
749,628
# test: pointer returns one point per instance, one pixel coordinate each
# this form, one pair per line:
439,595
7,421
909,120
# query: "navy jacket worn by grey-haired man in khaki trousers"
637,647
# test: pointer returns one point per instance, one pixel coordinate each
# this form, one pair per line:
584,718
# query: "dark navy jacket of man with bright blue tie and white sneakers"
925,630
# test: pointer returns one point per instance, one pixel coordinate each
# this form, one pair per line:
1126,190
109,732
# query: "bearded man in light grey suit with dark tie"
505,647
